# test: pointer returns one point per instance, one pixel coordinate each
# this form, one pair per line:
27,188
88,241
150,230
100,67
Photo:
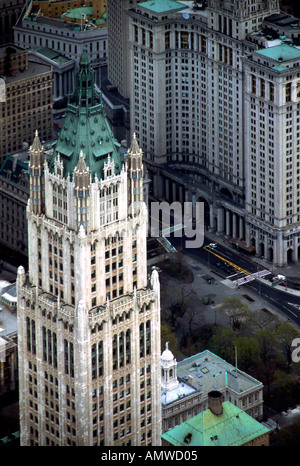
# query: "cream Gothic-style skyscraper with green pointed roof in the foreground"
88,315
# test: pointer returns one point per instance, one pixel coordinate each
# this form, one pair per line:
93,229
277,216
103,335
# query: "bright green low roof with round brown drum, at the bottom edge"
233,427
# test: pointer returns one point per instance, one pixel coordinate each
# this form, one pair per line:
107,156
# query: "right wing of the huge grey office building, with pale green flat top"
272,151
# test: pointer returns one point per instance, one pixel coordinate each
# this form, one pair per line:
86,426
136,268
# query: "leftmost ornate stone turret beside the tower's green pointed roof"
36,176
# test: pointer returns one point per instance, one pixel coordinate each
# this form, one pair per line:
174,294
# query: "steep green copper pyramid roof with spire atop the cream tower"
86,128
